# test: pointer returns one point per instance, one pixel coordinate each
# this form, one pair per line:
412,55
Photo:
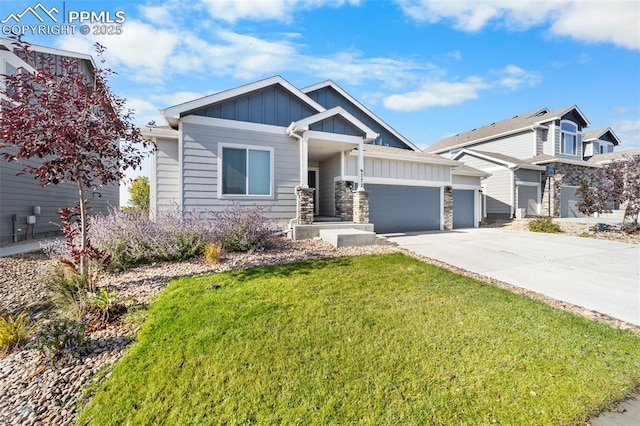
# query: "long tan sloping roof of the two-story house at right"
519,123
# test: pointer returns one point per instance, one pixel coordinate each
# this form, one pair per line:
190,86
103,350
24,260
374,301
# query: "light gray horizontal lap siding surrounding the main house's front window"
200,177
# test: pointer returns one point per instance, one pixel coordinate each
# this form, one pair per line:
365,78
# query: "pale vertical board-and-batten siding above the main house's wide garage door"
417,174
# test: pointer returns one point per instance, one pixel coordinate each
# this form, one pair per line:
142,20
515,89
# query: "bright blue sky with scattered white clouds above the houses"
428,68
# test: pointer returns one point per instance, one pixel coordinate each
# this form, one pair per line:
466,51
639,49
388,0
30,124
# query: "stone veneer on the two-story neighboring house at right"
572,175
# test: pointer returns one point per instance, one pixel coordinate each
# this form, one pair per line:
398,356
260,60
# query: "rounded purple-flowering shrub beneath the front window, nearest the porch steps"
241,228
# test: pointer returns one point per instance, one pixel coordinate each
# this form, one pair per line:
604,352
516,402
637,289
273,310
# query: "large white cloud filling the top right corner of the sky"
613,21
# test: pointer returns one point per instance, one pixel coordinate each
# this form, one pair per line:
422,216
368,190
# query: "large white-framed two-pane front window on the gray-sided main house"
246,170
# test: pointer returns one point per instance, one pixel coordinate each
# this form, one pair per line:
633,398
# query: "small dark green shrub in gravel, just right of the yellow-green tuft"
63,338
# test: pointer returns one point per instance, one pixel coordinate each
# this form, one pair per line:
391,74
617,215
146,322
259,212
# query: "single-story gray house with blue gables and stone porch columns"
307,154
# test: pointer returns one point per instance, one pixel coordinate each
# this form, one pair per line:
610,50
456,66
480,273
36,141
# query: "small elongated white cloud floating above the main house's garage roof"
437,93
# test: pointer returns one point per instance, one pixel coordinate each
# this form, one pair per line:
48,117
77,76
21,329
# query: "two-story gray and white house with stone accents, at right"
537,161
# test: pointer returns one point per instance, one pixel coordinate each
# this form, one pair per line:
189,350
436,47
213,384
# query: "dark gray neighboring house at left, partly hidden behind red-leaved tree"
22,200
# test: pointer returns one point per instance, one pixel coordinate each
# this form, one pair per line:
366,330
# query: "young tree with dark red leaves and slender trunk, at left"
72,123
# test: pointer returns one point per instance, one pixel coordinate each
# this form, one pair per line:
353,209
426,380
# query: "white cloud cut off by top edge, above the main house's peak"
265,10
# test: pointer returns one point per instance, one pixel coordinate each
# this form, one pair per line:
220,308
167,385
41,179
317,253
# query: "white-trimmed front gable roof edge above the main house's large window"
172,114
